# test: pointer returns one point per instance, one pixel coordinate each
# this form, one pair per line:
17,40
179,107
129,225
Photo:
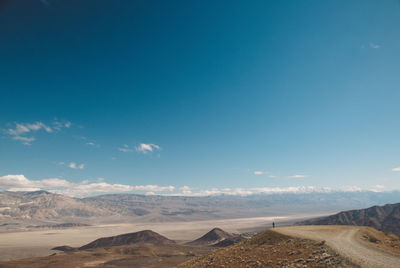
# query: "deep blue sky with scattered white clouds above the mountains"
199,97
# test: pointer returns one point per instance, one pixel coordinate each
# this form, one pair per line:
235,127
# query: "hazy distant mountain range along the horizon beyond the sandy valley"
42,209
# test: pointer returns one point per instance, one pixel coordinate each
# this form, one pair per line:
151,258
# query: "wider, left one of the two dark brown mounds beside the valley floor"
146,236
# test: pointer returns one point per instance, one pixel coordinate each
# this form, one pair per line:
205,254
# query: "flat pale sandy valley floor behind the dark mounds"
16,245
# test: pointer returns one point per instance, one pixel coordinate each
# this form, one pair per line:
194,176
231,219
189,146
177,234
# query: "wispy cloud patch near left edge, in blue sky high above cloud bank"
24,132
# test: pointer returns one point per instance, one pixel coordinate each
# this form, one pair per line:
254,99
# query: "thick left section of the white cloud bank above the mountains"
61,186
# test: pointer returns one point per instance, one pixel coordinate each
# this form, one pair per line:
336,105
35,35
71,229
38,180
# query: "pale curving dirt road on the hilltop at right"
346,240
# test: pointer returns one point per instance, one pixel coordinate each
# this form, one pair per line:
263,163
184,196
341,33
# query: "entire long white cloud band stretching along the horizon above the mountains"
85,188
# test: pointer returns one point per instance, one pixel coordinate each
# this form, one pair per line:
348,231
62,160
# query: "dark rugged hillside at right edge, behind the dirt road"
384,218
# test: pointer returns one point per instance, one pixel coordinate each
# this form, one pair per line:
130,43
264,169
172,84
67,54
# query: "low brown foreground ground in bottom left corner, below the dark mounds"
134,255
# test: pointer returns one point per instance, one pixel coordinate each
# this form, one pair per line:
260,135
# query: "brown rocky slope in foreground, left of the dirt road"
270,249
